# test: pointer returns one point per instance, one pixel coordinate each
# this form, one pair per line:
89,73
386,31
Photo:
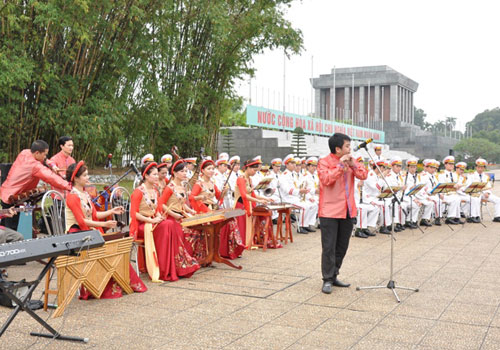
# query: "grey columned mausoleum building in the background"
379,92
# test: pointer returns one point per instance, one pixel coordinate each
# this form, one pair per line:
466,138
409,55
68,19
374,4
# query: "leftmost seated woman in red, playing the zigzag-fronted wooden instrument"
81,215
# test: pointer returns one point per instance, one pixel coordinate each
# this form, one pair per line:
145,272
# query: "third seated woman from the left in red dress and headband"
174,203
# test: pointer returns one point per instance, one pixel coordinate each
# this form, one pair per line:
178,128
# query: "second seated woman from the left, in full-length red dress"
174,259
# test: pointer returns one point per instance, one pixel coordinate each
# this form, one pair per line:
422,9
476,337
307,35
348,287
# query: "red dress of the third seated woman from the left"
175,198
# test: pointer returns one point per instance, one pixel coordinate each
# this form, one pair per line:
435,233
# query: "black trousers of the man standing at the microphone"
335,236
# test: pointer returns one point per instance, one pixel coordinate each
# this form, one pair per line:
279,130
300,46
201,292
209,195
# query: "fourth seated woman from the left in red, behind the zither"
204,198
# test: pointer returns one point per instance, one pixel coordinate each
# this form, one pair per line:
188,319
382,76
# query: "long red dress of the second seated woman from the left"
174,259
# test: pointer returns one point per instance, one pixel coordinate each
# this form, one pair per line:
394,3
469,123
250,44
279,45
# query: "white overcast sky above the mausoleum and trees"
451,48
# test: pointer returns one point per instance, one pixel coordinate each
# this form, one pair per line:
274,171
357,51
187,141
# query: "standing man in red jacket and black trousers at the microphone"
337,206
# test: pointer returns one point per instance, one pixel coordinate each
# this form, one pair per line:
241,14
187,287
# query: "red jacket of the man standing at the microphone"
336,187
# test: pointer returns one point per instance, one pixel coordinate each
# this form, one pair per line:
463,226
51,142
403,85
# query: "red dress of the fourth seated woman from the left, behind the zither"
230,245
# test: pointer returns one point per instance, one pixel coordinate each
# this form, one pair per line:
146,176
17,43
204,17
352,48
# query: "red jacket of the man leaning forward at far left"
25,174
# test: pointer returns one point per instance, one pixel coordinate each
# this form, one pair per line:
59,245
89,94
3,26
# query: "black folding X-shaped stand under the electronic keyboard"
22,305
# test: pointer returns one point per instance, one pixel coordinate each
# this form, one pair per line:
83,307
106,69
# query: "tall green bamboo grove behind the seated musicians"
128,76
